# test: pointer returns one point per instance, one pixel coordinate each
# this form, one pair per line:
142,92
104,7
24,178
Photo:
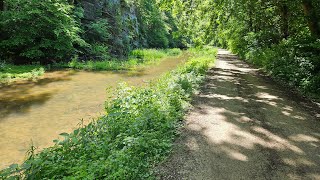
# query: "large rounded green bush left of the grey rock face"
33,30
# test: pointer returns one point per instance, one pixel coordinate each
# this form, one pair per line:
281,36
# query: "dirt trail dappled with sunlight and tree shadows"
244,126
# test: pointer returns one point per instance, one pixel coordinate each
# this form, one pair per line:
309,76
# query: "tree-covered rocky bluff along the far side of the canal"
58,30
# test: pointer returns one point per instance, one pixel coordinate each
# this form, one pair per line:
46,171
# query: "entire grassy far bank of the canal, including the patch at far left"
139,57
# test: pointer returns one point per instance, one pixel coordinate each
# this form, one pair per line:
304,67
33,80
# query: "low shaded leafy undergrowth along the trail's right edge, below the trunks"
296,65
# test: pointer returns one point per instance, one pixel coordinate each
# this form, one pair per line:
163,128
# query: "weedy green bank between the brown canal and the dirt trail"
136,133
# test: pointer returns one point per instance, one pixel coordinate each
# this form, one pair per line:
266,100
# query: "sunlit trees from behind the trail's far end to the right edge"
279,35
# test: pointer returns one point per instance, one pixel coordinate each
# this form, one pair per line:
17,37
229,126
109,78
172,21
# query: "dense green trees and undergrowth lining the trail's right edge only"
280,36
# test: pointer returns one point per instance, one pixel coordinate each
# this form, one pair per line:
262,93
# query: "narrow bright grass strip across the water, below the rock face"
136,58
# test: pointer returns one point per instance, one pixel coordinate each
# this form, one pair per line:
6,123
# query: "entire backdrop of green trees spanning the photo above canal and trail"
279,35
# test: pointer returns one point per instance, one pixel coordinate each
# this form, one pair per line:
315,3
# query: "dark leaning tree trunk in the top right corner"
312,17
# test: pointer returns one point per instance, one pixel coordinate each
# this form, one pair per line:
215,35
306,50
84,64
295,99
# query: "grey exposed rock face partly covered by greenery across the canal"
122,19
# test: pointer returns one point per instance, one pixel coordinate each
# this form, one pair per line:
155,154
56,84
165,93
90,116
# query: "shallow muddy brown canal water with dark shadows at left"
37,112
